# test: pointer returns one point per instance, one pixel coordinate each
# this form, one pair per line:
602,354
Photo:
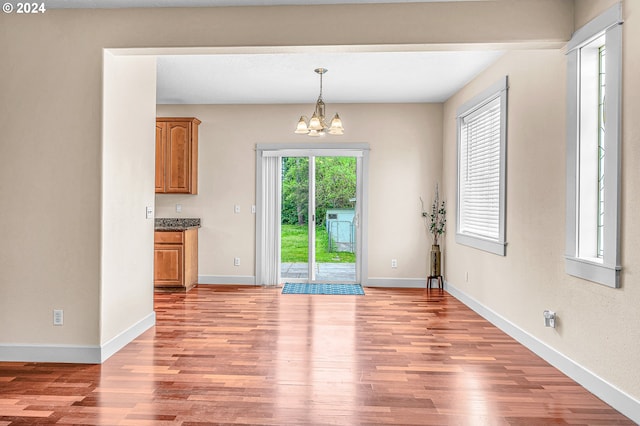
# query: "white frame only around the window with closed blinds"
493,245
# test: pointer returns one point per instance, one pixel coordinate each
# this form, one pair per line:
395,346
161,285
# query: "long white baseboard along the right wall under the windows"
607,392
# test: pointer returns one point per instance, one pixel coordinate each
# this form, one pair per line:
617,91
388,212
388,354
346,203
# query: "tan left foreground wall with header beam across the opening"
51,121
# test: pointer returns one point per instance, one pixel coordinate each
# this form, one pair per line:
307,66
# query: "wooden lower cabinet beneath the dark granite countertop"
176,259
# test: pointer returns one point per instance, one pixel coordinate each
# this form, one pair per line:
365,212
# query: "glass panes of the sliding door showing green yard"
320,218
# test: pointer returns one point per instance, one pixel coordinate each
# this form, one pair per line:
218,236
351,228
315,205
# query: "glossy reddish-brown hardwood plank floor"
250,355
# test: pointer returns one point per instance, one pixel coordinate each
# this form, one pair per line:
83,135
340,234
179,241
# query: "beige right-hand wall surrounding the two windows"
597,324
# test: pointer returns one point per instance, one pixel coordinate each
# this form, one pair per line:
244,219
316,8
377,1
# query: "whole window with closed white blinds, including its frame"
482,124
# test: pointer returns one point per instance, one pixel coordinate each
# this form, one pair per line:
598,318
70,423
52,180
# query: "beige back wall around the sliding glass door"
404,166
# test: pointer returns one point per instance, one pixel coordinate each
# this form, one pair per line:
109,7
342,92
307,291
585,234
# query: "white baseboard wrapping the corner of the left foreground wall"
76,354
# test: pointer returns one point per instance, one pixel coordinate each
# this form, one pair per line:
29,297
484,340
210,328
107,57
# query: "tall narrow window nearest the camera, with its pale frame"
593,149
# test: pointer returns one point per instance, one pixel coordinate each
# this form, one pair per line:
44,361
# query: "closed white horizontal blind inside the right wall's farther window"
480,171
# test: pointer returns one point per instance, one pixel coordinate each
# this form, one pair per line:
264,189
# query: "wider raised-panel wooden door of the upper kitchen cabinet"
178,159
